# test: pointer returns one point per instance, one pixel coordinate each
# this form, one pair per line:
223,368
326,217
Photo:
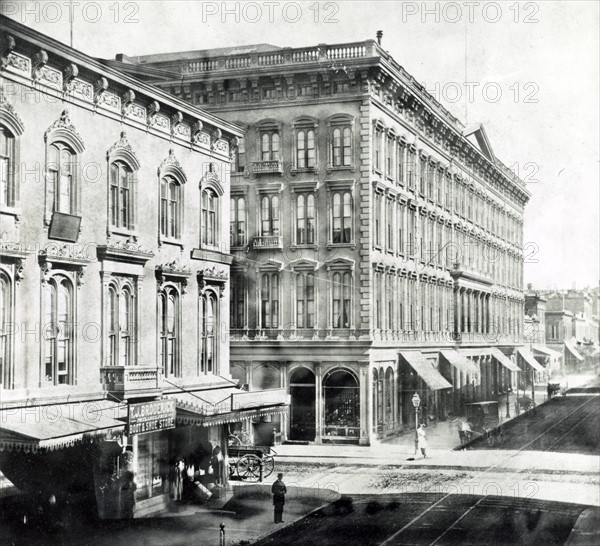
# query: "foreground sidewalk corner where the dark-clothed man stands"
246,513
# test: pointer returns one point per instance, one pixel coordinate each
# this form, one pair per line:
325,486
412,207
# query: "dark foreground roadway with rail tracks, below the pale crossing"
392,520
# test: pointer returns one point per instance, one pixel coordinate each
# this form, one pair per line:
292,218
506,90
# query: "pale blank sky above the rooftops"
528,71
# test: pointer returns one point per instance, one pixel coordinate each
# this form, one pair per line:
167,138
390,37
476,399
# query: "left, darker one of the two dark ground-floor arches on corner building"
302,411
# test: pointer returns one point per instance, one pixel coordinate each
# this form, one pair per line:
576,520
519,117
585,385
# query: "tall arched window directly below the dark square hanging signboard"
58,333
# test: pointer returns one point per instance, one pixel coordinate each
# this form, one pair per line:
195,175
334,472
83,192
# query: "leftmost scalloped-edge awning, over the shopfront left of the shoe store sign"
58,426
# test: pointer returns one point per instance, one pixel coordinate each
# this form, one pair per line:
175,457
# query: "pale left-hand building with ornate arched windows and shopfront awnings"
114,289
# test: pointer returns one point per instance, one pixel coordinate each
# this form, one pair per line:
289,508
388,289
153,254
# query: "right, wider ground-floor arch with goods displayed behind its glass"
342,405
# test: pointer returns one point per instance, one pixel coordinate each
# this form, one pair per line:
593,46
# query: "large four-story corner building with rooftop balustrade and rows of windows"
377,240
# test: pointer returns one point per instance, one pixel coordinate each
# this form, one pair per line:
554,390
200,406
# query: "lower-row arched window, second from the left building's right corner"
169,332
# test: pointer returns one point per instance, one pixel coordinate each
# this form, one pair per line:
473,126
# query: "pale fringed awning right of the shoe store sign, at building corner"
227,405
